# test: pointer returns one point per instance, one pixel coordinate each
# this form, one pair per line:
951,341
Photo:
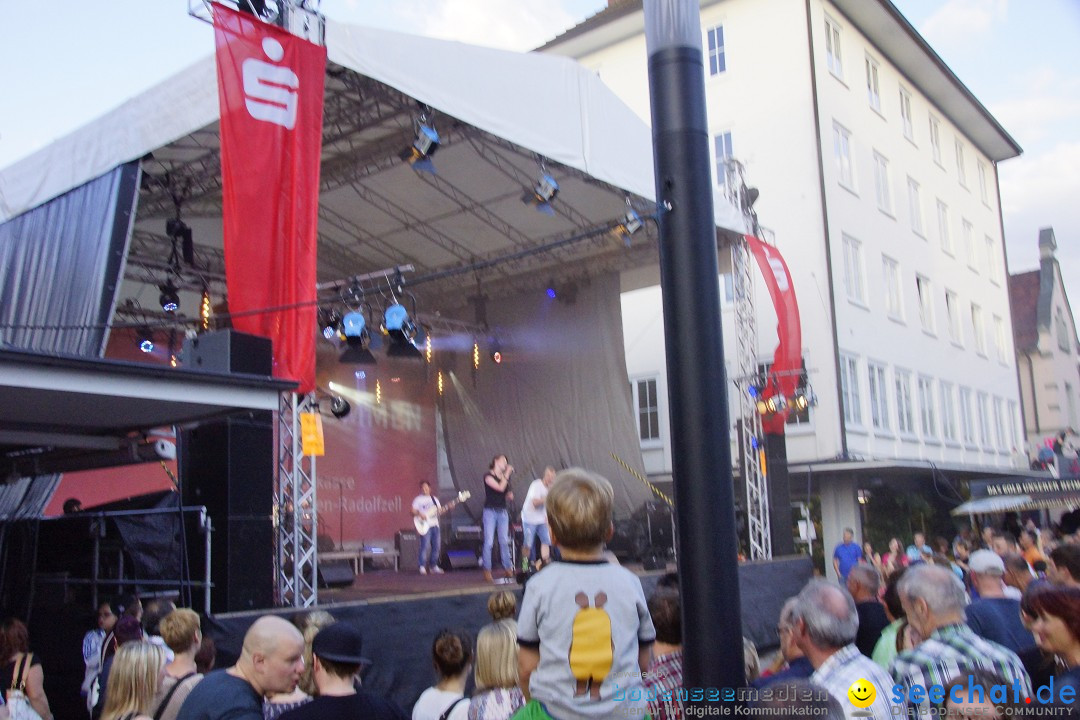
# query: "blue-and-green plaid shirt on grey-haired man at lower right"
952,651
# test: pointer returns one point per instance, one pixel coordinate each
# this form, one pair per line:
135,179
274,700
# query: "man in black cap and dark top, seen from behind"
336,663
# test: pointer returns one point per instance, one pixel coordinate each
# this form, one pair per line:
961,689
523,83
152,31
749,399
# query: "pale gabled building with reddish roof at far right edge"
1047,352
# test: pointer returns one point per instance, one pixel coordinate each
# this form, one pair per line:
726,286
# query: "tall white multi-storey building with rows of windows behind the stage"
877,171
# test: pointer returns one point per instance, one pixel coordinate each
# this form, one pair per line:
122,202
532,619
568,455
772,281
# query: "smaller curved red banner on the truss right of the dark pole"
788,360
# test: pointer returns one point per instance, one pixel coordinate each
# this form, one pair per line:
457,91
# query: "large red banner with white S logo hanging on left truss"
271,86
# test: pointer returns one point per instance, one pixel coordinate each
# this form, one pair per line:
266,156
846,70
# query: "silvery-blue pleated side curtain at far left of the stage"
60,271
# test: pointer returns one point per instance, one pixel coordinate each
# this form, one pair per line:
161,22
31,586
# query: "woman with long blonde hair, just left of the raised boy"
497,696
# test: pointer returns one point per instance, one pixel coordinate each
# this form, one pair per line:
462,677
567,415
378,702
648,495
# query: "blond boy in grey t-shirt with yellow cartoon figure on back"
585,634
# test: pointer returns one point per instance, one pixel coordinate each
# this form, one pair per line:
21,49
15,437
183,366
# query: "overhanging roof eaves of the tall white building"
892,34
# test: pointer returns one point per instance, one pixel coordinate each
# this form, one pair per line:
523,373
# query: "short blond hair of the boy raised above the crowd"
579,509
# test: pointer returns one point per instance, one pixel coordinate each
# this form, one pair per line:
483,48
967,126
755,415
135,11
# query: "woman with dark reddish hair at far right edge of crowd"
1057,630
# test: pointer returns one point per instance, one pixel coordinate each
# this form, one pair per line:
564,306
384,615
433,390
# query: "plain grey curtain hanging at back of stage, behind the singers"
561,396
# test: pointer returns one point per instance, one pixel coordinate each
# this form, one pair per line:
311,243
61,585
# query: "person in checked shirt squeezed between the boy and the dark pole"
665,677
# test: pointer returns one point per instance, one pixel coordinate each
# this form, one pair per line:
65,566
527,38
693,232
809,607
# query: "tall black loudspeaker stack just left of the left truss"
228,467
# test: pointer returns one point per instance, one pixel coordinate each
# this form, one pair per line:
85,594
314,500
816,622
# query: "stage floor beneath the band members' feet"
391,587
